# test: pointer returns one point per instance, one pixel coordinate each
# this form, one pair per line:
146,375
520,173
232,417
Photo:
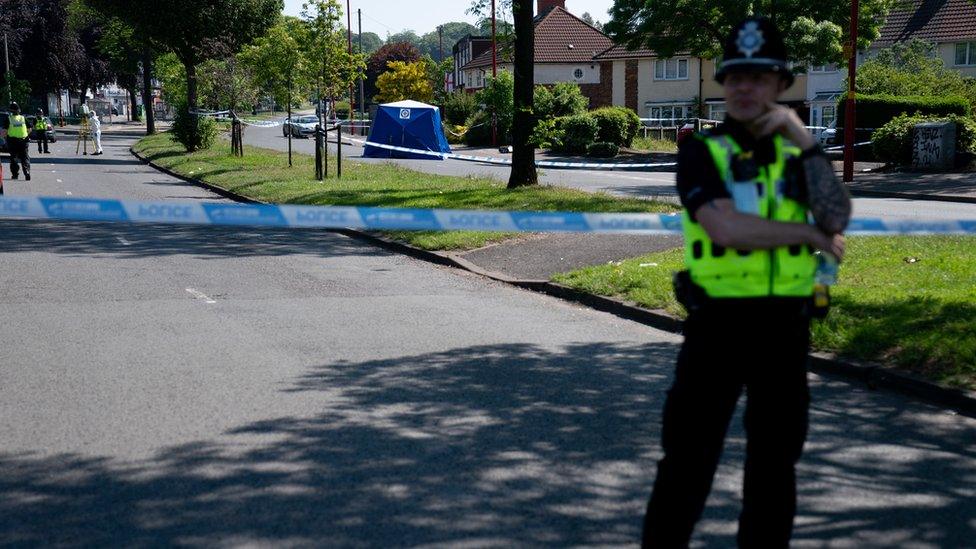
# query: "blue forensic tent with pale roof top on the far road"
409,124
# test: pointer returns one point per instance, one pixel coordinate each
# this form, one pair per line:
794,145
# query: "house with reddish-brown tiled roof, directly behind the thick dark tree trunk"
565,47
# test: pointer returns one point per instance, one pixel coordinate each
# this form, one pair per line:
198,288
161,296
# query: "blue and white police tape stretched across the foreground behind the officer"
371,218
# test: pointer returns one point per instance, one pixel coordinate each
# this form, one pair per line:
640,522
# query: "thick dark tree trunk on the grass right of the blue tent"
523,123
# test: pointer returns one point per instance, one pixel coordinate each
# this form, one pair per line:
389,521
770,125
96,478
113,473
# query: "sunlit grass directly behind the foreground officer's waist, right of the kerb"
919,315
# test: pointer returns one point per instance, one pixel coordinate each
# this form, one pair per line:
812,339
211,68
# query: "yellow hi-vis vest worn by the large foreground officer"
780,272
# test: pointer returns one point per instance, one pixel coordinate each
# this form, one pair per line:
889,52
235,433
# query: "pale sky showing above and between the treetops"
422,16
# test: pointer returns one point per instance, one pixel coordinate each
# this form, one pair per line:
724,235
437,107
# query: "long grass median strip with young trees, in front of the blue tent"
264,175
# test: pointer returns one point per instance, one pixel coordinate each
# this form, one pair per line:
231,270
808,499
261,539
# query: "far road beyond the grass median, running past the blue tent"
650,184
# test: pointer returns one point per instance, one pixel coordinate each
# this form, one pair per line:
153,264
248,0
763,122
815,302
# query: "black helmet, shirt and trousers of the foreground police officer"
757,345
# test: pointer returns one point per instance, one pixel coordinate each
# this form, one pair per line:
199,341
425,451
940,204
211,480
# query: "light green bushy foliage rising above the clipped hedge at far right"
912,68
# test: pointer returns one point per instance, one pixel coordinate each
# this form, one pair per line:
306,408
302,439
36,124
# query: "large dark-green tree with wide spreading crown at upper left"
196,30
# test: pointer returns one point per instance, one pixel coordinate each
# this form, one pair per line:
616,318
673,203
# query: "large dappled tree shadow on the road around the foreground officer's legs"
503,445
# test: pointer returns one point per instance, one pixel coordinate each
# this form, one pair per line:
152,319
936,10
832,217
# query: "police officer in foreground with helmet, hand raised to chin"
750,189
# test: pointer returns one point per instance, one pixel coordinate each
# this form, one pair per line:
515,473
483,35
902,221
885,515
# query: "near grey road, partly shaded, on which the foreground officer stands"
213,387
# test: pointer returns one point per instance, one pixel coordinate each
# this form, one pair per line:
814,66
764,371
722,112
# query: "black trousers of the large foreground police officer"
759,346
